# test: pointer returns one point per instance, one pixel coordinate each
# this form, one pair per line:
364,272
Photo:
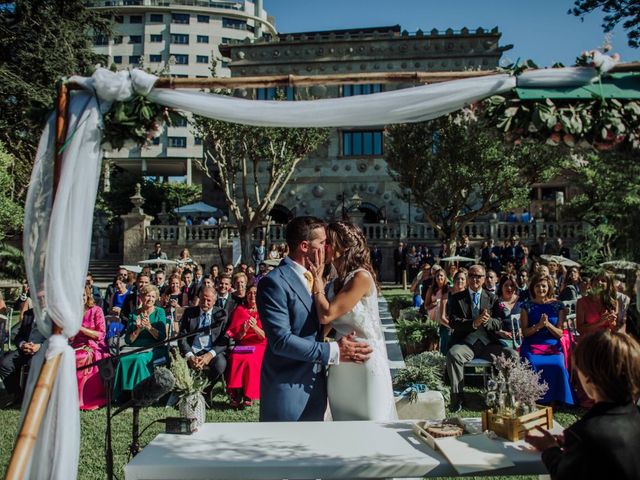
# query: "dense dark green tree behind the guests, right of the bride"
458,168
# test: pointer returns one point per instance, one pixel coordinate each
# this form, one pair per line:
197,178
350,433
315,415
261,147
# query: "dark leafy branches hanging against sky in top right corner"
625,11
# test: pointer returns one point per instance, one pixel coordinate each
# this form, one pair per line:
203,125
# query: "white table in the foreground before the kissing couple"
305,450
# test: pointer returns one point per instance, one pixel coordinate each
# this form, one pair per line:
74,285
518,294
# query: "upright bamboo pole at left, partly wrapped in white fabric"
30,427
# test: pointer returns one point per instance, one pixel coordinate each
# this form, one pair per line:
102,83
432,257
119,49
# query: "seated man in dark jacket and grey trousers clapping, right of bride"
475,319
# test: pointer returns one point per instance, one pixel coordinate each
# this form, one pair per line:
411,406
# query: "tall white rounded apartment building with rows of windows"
182,36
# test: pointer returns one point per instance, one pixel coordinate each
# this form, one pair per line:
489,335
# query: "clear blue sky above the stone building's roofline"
540,30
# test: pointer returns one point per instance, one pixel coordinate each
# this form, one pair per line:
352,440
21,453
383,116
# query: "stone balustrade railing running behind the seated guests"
374,232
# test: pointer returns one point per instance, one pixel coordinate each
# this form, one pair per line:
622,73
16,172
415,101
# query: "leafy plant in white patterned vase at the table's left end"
190,387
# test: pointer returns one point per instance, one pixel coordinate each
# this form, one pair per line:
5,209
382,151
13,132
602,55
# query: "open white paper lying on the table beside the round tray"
473,453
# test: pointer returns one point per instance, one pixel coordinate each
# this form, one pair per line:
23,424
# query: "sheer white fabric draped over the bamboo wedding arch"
58,234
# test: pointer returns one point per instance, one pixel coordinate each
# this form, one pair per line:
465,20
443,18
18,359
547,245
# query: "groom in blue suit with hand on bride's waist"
293,381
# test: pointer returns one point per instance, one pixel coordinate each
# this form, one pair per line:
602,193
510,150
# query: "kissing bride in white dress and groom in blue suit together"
297,310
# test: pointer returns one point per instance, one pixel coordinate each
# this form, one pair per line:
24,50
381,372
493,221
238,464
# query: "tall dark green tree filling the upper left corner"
40,42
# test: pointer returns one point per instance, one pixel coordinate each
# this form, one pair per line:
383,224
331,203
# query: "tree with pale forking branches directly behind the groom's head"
252,165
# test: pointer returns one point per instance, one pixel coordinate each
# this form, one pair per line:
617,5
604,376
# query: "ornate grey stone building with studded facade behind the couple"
349,173
